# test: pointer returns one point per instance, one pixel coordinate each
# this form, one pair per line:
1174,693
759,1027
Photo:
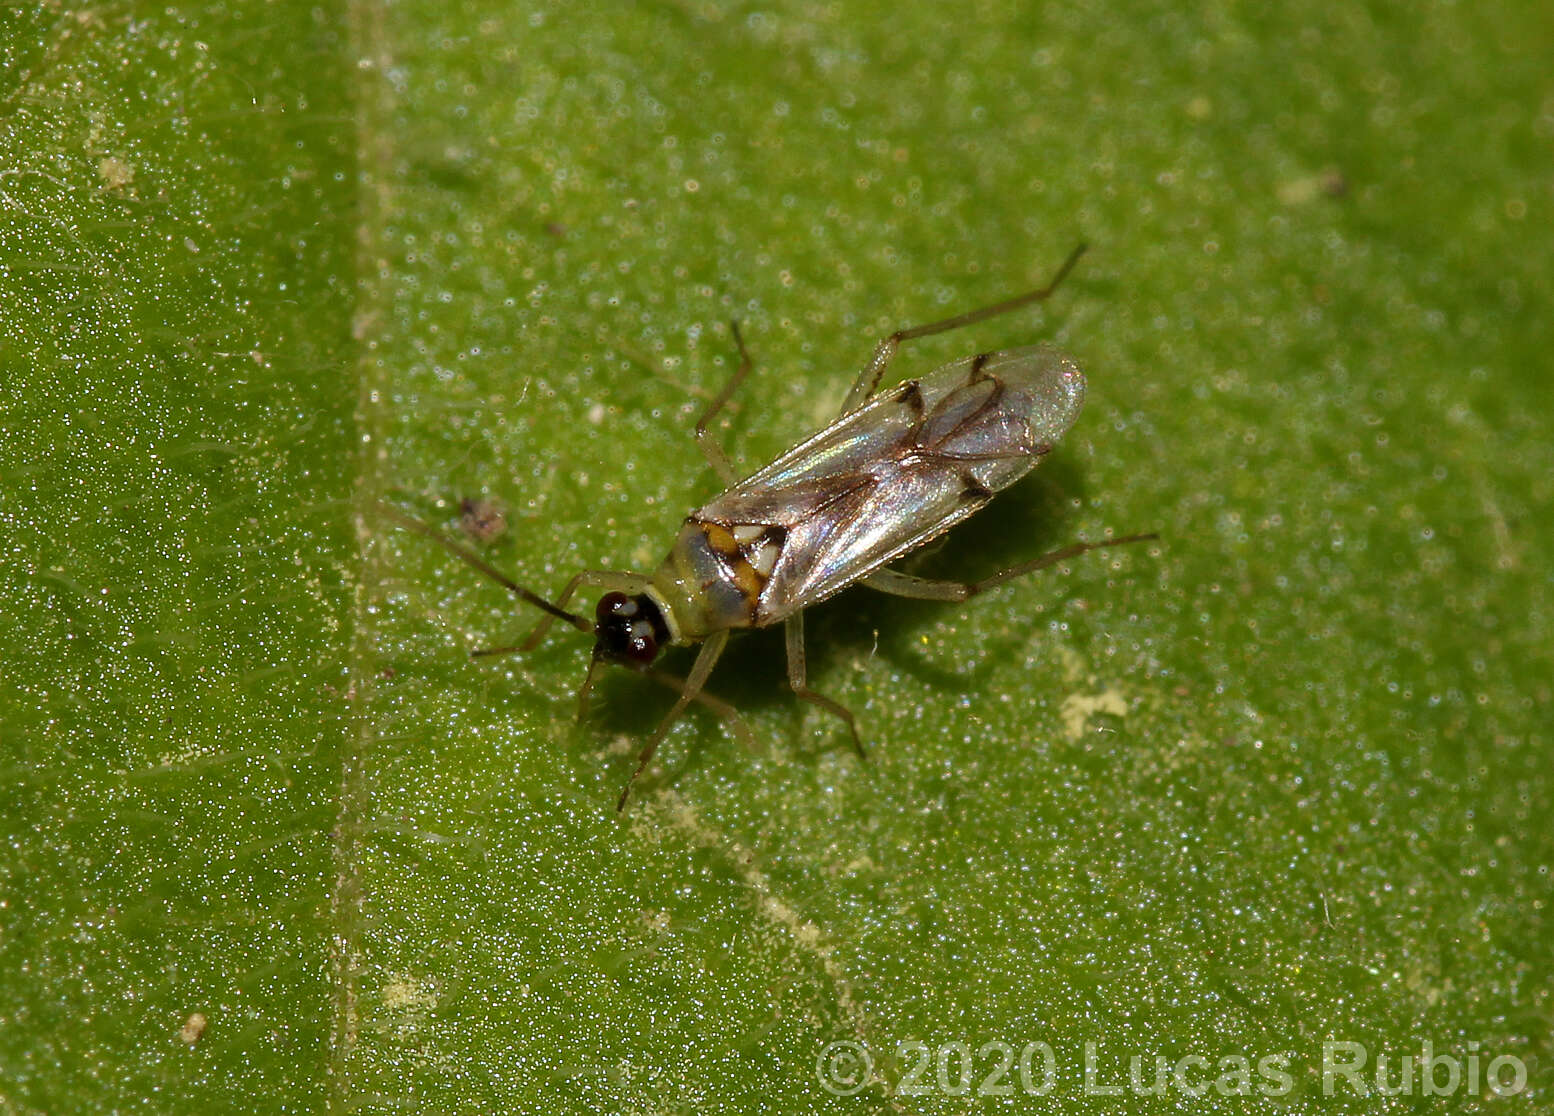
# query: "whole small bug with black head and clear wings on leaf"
896,470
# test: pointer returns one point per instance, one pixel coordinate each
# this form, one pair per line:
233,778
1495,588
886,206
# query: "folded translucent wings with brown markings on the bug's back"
902,469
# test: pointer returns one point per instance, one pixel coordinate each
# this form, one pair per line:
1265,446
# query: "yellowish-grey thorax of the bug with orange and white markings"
716,574
